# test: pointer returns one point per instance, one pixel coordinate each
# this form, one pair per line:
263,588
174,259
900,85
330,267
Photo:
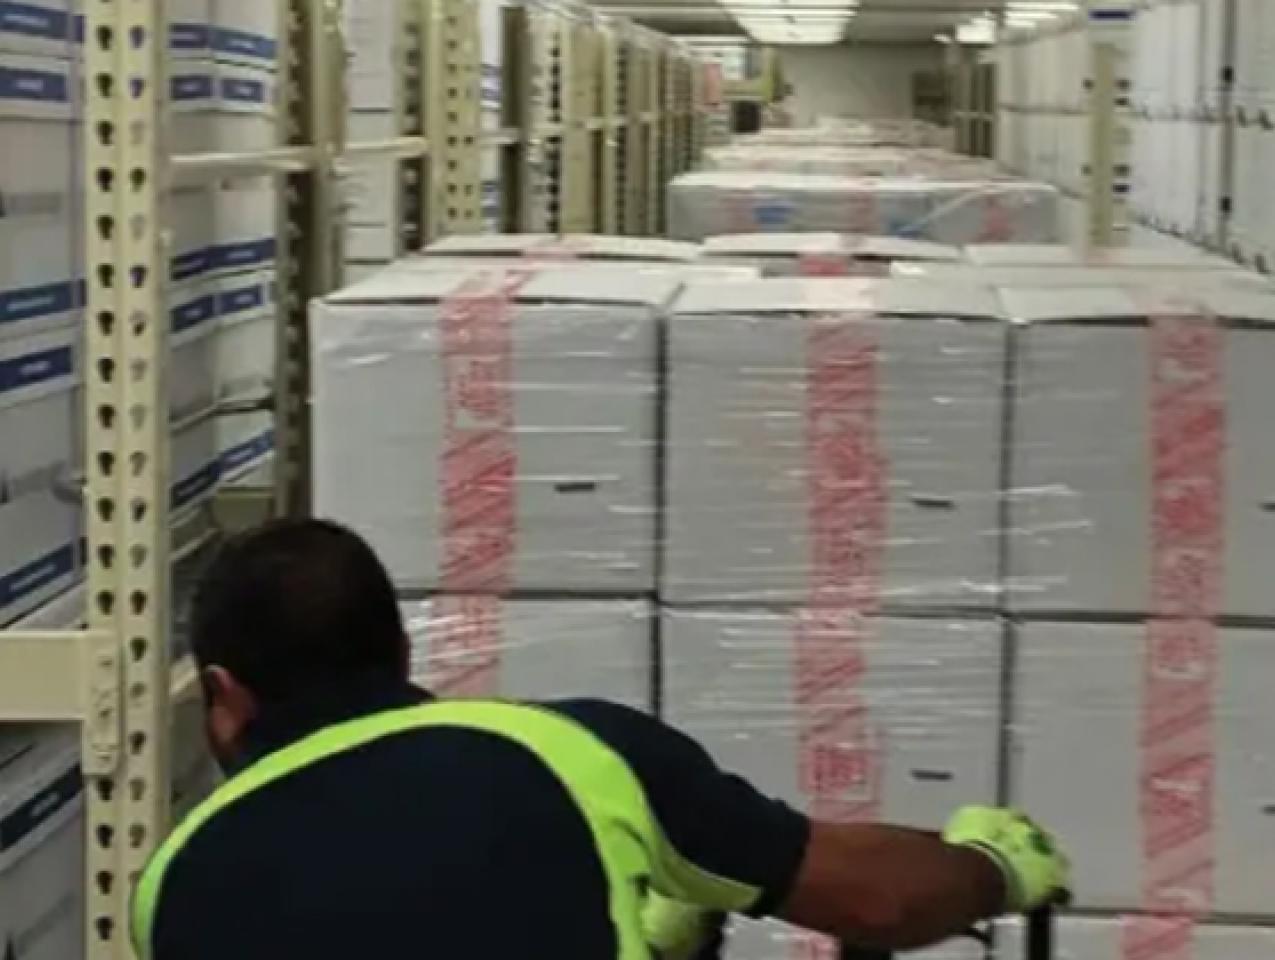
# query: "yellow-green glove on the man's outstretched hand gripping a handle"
1036,871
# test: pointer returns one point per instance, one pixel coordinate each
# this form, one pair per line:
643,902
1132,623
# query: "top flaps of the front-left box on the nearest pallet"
650,286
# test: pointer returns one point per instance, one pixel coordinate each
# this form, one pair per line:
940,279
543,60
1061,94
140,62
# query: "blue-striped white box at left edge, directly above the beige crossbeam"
40,522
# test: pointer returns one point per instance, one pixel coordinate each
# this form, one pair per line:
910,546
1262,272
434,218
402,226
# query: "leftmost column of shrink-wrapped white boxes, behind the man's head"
495,435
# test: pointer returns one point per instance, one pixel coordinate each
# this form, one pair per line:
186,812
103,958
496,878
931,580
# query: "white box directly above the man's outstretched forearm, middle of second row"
930,688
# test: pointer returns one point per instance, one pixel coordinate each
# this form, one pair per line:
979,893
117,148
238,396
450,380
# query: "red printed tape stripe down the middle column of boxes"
841,750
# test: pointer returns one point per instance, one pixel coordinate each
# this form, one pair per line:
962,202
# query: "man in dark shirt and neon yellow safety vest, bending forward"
365,819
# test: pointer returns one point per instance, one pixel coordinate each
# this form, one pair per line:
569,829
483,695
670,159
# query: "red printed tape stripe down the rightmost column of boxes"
1177,771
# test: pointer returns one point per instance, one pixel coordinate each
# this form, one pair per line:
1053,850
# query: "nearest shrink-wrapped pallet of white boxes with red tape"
884,546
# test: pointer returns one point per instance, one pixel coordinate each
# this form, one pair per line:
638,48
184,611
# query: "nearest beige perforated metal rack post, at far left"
126,758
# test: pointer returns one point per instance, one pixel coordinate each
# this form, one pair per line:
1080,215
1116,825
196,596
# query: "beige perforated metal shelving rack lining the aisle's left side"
582,164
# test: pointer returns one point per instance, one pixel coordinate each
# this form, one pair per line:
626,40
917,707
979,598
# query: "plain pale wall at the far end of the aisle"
856,80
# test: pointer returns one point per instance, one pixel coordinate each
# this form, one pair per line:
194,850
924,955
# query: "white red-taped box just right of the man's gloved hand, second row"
1129,739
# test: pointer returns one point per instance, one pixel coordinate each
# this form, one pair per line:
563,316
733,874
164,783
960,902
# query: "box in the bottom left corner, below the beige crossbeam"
43,856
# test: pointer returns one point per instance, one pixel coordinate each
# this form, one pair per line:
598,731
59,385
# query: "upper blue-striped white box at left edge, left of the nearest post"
36,212
